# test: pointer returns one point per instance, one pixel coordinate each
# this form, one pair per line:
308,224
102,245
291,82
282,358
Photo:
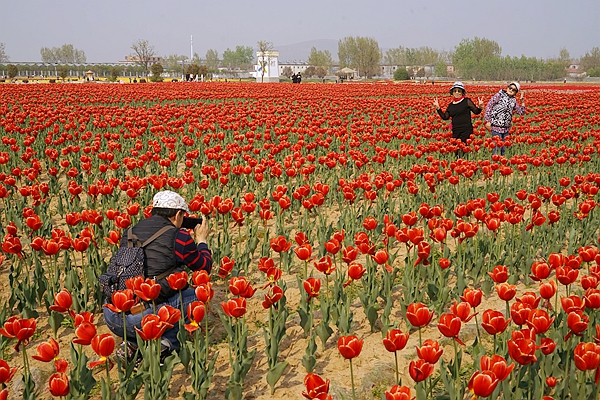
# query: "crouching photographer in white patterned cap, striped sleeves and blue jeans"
167,249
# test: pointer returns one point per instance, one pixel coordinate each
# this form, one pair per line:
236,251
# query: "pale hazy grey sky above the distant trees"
106,29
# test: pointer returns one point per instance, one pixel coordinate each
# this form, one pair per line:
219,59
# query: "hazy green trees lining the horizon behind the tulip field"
476,58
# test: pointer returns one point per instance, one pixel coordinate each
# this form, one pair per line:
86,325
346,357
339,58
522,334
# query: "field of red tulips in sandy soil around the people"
356,255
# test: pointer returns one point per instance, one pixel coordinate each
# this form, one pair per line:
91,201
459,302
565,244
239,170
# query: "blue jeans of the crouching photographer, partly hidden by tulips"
114,321
